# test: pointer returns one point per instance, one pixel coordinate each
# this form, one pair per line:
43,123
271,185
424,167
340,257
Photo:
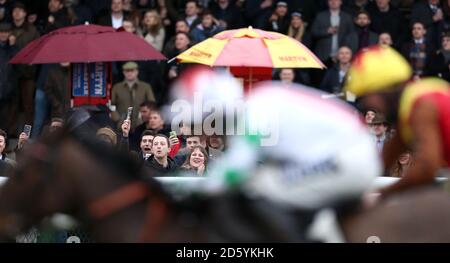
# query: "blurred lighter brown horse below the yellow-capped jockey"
421,215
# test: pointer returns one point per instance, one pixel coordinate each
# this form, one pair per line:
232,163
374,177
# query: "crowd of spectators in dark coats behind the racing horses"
333,29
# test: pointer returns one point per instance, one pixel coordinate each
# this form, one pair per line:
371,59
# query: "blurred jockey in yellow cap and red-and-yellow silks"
380,78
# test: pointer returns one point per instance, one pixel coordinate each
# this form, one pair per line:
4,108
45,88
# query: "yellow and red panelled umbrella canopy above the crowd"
249,47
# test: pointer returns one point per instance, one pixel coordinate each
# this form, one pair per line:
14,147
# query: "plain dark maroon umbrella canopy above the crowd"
86,44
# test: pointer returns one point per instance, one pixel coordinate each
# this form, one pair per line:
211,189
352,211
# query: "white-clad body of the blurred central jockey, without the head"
300,151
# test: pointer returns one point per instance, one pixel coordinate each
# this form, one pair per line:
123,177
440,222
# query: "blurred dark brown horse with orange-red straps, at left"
113,197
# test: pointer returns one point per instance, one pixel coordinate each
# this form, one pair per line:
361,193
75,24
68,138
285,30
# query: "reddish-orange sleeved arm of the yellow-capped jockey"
427,150
